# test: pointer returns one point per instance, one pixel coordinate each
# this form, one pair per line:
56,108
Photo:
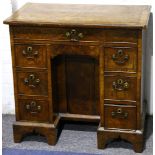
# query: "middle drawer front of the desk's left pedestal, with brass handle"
32,83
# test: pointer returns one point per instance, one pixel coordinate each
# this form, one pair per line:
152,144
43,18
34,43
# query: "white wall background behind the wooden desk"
6,81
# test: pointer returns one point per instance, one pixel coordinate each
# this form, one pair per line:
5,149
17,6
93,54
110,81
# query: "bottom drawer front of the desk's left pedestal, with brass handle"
33,110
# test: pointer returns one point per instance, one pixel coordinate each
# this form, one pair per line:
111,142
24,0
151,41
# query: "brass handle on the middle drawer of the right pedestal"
120,85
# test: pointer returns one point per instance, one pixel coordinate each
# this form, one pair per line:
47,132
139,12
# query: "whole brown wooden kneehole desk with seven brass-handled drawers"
80,63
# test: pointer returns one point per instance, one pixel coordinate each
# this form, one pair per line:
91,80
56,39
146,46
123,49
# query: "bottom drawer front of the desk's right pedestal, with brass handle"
123,117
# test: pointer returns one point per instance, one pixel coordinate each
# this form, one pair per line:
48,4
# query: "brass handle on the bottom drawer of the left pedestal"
33,107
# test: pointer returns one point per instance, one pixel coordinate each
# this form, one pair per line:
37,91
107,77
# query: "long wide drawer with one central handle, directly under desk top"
75,34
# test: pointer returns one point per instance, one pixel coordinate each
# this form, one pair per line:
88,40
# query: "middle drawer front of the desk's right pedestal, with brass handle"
120,87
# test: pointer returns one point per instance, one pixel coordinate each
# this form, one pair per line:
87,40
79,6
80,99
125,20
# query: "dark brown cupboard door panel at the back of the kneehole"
82,85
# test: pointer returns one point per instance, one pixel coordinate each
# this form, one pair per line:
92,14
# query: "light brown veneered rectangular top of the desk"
81,15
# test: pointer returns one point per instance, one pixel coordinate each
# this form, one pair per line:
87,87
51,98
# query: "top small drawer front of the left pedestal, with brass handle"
30,55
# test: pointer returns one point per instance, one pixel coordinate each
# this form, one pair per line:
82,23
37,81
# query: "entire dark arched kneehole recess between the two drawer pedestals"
75,88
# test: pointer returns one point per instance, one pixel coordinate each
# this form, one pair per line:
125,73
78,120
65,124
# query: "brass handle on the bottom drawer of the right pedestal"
119,114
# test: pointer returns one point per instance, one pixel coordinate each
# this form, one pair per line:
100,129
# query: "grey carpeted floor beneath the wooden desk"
75,137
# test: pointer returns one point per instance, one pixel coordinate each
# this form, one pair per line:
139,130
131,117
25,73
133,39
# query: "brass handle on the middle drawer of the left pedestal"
31,81
